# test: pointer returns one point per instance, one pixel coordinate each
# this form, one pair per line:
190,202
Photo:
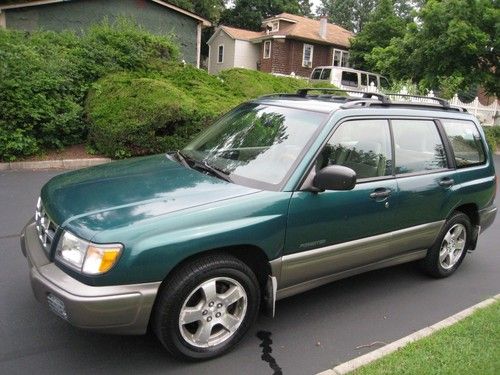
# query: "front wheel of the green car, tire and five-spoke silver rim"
206,307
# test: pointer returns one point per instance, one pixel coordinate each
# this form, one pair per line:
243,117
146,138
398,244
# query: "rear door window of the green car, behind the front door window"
418,146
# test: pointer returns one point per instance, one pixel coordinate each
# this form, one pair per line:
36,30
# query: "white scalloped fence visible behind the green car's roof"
487,114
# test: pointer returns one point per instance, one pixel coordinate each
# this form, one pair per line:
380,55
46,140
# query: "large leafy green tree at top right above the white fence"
453,45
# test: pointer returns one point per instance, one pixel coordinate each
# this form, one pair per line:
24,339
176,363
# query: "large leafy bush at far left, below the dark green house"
45,76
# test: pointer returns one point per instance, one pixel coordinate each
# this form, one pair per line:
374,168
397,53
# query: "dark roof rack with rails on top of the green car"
367,98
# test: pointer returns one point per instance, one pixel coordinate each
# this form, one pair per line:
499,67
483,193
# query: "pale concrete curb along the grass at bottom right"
355,363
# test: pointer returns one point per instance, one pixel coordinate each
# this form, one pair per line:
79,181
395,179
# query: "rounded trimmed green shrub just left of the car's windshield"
130,115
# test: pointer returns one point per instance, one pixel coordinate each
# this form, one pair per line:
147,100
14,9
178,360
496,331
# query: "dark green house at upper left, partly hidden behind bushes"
159,17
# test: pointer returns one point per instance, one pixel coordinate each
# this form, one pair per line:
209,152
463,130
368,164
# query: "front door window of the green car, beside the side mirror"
362,145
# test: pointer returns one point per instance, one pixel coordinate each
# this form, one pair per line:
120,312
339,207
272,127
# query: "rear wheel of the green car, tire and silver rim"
450,248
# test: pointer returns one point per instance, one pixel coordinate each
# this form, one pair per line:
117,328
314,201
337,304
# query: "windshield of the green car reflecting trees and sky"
256,143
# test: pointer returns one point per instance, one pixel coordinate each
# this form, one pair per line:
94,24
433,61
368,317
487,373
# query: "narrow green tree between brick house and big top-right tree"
382,26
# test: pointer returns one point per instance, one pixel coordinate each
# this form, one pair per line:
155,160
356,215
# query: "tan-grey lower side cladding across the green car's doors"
305,270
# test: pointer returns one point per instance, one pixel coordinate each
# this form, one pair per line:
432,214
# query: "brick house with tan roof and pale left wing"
288,44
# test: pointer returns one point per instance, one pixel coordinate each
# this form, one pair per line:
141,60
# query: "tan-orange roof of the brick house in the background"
308,29
